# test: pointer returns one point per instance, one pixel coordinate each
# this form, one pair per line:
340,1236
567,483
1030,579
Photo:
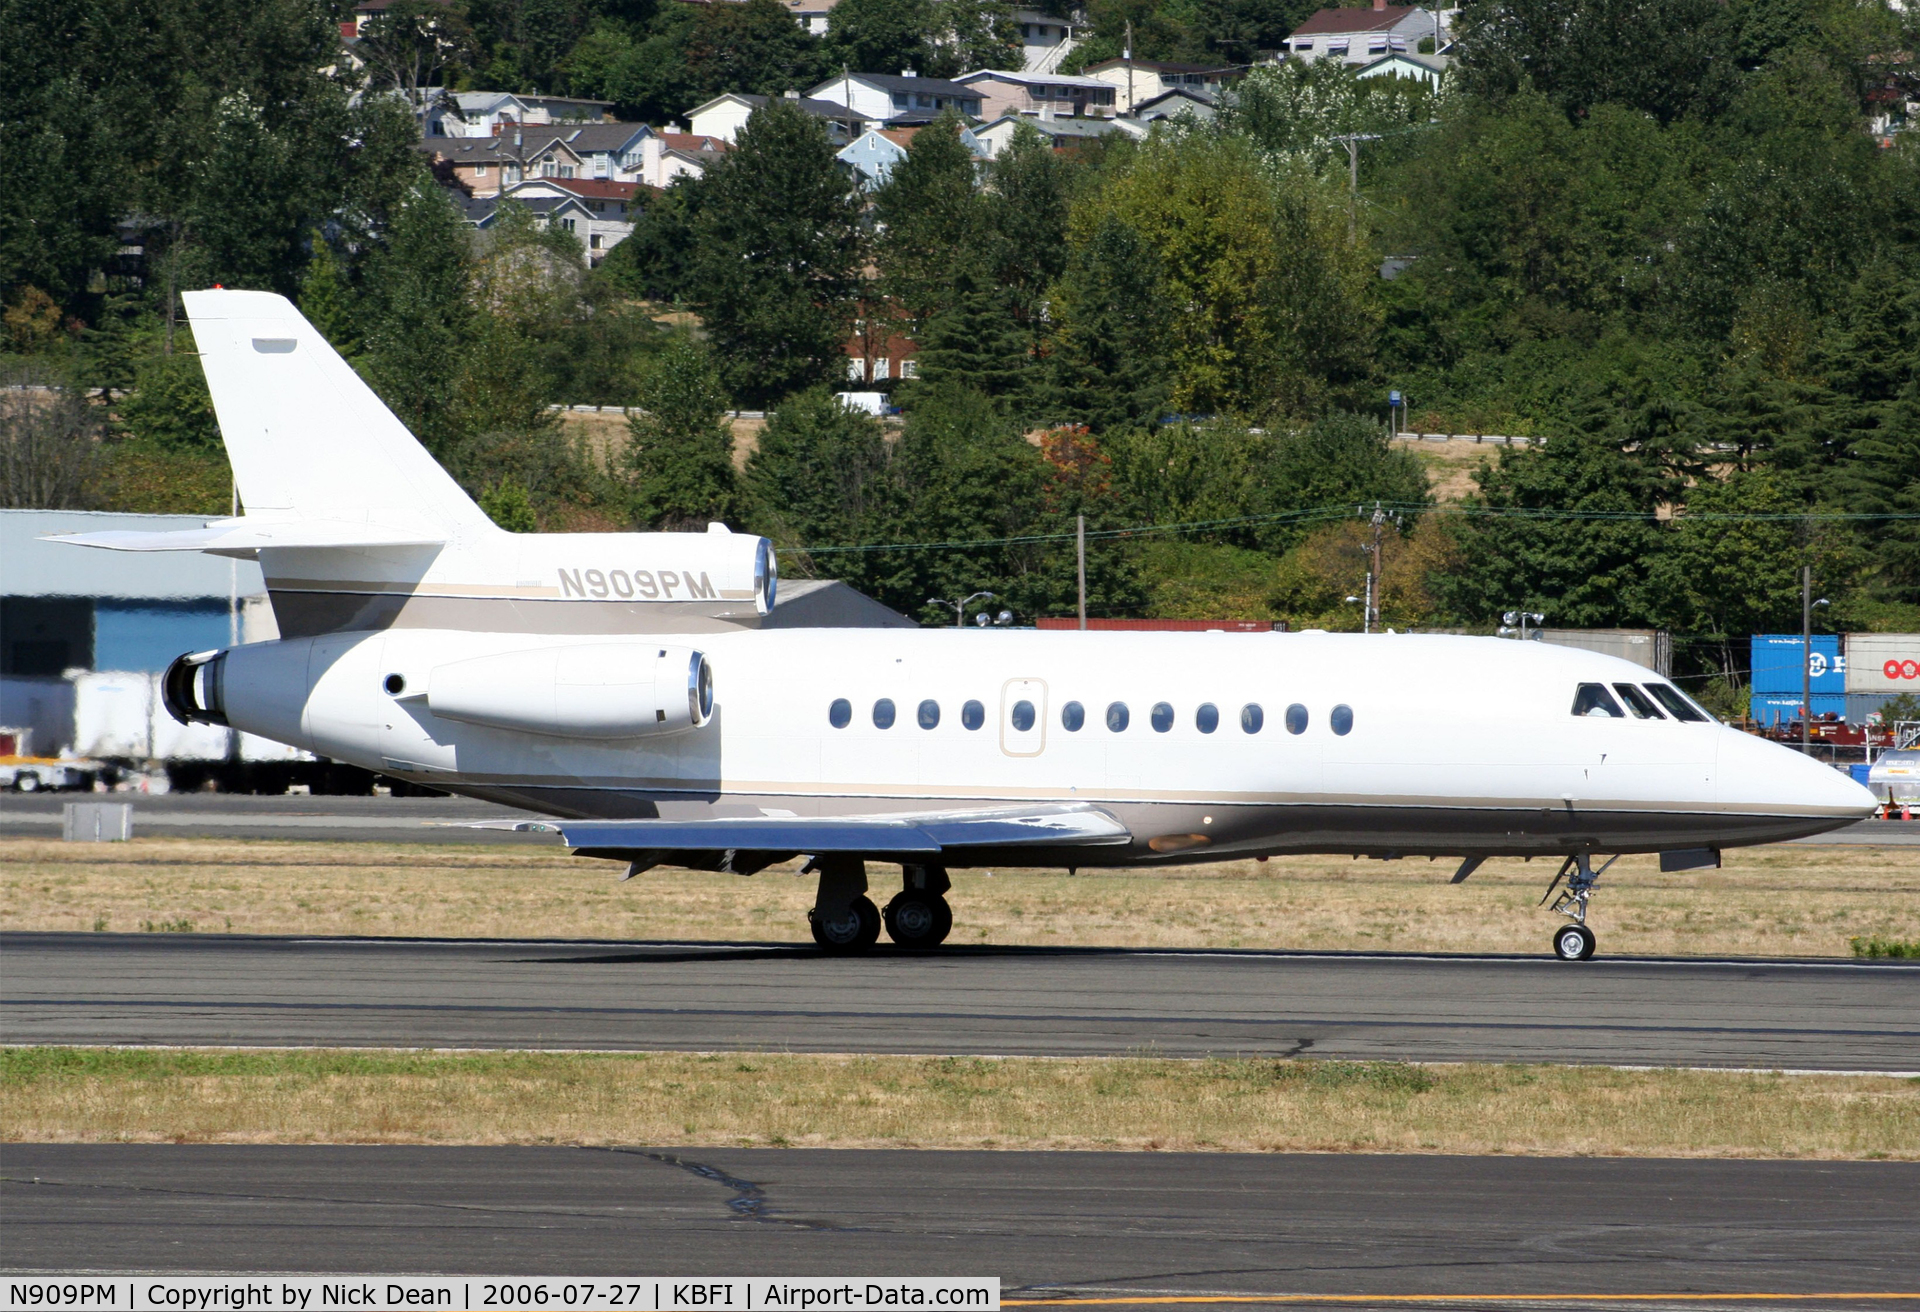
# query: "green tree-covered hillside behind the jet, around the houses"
1660,237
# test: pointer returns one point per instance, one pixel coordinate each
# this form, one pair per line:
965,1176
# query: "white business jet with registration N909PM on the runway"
625,685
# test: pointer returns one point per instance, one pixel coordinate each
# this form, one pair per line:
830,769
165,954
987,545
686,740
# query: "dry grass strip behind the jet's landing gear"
1775,902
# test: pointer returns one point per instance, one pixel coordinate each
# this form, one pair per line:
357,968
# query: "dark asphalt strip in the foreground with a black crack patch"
1097,1225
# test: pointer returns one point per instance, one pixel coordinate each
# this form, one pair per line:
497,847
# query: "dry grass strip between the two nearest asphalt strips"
51,1096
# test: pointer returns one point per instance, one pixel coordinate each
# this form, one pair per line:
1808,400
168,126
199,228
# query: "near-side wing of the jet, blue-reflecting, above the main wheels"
754,842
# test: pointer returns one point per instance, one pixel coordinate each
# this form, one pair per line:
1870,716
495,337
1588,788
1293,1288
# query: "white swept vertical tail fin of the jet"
308,439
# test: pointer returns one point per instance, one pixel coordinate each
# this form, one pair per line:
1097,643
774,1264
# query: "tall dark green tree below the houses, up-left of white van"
779,256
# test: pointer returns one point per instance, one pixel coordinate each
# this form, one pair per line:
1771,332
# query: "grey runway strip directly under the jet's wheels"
231,990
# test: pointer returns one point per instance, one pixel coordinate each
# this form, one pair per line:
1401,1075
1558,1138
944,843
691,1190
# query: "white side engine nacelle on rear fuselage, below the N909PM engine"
600,691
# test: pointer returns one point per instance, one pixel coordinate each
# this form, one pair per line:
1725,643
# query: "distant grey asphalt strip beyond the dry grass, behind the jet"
441,819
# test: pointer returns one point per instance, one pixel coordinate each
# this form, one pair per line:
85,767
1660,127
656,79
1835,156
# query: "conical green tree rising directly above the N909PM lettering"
683,447
